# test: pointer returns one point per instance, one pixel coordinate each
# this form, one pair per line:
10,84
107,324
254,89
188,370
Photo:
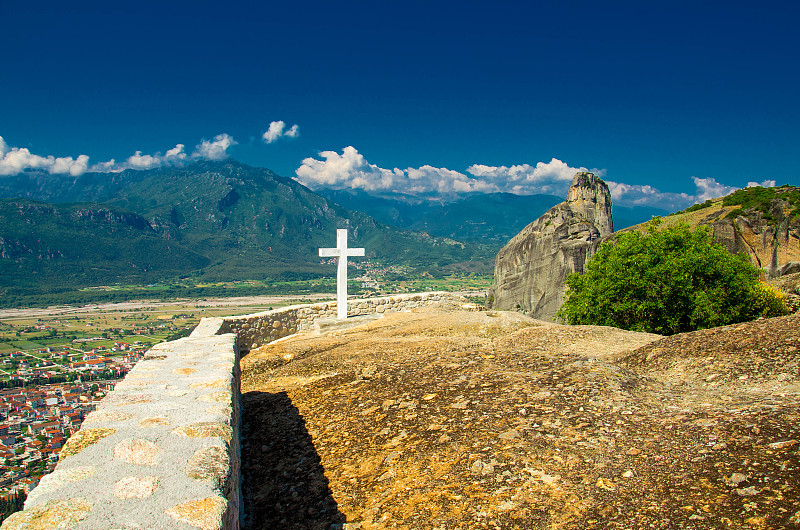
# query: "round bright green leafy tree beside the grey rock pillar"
668,281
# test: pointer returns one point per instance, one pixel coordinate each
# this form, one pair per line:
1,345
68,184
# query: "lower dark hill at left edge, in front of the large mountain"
45,246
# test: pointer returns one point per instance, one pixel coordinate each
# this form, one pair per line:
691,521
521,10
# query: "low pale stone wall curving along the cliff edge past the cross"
162,449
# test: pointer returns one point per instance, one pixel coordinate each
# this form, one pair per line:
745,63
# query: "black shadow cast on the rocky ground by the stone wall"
284,483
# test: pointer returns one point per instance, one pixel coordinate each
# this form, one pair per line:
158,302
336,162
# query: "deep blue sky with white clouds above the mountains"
672,102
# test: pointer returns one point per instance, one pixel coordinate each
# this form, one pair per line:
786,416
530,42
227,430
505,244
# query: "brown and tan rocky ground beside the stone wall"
455,419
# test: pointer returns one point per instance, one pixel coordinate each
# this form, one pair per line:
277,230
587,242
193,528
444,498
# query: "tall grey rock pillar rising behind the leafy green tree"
530,270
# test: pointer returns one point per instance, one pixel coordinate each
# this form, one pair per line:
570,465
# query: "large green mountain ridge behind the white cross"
216,220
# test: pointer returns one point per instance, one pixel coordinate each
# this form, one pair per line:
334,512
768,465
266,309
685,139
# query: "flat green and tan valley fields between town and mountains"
163,317
